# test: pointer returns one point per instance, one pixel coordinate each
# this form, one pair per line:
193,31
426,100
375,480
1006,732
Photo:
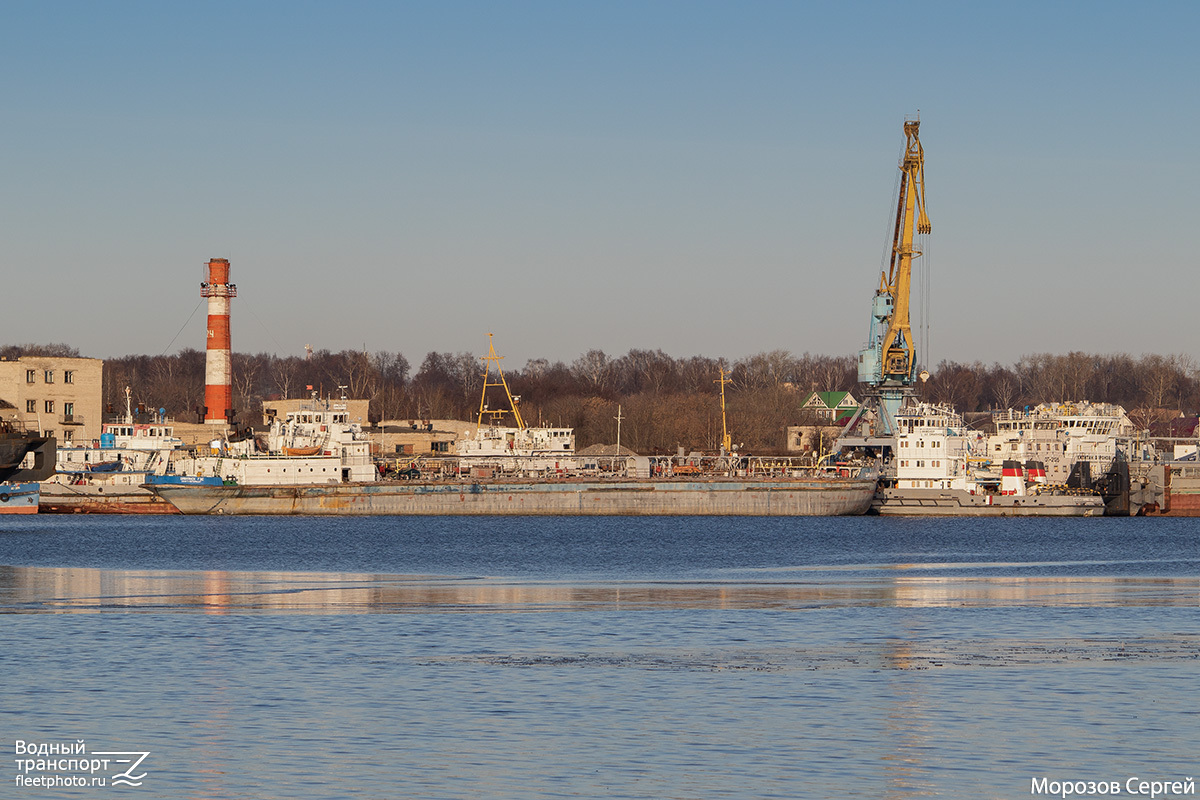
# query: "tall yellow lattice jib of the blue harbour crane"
899,351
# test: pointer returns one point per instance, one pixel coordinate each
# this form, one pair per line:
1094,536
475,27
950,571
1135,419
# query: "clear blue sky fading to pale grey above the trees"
701,178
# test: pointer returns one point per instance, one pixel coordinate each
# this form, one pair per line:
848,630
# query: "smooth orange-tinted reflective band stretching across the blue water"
89,591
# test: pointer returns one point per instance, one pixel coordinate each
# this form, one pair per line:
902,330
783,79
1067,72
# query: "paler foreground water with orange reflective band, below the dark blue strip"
896,694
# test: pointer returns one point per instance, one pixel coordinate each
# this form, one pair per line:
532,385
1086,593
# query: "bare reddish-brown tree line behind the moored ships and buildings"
665,402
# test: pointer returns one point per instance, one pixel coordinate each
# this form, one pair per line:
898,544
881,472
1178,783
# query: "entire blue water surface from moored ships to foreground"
603,658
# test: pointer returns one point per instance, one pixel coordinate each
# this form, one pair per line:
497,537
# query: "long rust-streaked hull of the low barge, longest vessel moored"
832,497
